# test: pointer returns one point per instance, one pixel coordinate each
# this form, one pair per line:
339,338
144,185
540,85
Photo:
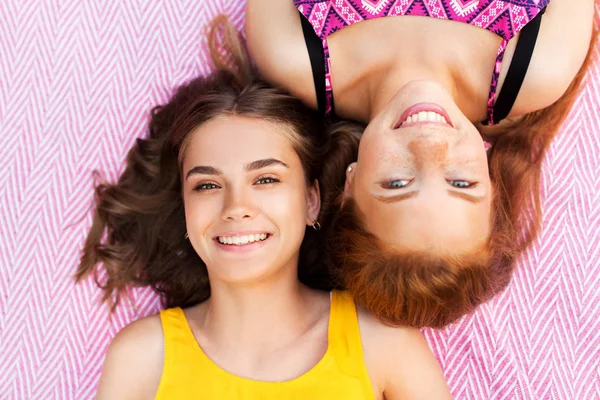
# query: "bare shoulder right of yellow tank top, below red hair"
400,362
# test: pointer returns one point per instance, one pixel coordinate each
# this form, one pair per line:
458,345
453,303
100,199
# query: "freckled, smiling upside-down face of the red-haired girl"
421,179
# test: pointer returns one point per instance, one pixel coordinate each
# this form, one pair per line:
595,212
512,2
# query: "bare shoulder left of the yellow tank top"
134,362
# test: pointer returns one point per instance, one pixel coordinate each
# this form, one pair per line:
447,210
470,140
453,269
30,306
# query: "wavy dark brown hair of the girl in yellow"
138,228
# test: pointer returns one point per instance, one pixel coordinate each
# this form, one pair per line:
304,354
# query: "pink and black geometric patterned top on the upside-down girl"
503,17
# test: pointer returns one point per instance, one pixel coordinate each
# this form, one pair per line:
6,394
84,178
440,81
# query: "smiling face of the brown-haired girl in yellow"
247,200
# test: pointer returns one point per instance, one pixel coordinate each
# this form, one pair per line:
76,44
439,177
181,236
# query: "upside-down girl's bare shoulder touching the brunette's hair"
276,44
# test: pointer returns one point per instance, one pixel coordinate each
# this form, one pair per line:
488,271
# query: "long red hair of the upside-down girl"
420,289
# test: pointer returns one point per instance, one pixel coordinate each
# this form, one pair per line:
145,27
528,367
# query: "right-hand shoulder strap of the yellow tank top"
344,337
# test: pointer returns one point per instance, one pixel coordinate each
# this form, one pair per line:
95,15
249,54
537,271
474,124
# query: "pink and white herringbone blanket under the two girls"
77,80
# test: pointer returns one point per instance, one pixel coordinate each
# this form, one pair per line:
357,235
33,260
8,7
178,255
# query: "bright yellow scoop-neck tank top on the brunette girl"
188,373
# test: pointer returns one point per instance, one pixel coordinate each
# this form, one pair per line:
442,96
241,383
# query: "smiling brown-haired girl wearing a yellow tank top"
218,210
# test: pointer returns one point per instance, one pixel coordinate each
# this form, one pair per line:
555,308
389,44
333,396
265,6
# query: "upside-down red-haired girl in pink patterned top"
460,100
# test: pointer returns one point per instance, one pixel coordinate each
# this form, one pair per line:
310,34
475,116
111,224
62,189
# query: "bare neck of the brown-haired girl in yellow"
240,317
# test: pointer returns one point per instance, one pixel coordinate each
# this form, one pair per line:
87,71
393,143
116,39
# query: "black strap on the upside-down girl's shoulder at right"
518,68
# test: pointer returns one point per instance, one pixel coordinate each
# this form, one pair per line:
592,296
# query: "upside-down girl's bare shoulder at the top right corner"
560,51
